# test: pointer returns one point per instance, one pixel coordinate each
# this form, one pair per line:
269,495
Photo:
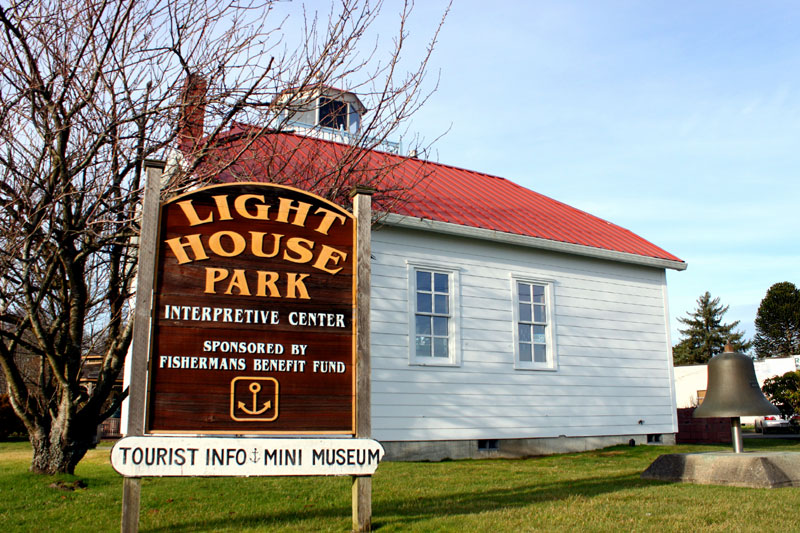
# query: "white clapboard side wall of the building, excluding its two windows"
613,373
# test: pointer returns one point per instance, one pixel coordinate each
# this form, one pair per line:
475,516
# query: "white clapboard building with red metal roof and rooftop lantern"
503,322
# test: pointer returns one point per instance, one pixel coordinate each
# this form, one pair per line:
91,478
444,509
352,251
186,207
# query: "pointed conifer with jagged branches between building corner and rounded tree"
705,335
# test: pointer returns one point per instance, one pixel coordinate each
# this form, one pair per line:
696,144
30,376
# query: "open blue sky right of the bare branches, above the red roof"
678,120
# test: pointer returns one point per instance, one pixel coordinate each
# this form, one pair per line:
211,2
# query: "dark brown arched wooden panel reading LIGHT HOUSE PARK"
254,314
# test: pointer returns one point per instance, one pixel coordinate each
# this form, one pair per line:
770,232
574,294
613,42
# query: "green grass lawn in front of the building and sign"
591,491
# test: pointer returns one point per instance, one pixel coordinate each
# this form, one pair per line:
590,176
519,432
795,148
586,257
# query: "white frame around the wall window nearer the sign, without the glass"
454,325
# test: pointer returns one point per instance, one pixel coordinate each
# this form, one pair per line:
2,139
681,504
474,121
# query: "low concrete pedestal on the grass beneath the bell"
748,469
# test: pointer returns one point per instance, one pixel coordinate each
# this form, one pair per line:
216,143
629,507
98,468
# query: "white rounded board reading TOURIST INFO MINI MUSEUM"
219,456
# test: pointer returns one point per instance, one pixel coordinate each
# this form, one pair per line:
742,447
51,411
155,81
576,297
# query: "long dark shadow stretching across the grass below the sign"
404,512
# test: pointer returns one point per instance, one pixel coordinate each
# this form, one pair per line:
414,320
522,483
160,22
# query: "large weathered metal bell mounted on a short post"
733,389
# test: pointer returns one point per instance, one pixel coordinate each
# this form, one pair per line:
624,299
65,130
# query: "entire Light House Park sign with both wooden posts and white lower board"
260,327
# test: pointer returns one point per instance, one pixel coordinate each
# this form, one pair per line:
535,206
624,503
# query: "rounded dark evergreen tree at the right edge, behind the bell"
778,322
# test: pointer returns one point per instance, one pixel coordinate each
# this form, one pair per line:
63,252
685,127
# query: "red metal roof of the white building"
426,190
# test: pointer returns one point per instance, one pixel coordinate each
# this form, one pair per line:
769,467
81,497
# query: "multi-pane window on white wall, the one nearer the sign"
434,311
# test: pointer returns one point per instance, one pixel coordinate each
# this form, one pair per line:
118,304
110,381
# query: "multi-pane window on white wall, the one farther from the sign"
533,316
